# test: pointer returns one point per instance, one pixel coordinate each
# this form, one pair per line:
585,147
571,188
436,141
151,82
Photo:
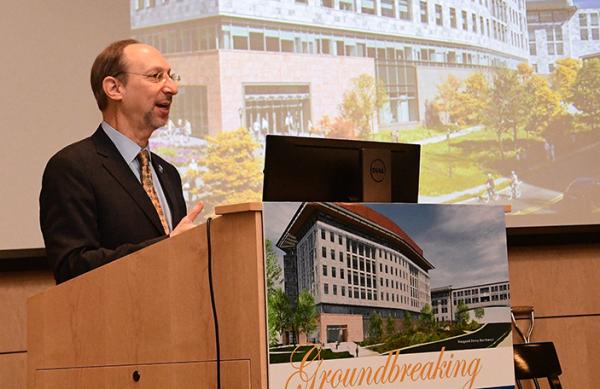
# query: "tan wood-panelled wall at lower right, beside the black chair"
561,283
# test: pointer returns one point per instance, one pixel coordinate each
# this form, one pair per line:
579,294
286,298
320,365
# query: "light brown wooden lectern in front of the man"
145,320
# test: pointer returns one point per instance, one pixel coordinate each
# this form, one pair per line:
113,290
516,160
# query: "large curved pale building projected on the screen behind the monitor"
281,66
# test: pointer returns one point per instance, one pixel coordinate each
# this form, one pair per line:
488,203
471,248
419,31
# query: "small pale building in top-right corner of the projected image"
558,29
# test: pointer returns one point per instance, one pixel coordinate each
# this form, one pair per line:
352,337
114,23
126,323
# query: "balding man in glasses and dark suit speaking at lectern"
107,196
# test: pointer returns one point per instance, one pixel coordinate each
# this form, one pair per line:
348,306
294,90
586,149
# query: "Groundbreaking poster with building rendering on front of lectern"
378,295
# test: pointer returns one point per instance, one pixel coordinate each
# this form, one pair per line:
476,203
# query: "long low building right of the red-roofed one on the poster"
445,300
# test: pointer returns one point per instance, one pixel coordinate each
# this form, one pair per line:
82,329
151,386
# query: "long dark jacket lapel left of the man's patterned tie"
116,166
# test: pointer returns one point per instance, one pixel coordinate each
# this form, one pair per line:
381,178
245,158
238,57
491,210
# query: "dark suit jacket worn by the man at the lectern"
93,209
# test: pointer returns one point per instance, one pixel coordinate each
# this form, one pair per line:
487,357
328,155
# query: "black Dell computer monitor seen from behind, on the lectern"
318,169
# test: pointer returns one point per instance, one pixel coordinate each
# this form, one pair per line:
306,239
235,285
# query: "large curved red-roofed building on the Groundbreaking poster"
354,261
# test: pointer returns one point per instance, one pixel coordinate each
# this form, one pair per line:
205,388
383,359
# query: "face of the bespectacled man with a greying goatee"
146,101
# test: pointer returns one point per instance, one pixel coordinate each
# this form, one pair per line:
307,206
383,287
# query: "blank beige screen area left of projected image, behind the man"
47,50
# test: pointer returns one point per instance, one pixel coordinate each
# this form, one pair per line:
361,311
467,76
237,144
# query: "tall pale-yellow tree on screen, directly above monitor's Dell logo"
361,103
